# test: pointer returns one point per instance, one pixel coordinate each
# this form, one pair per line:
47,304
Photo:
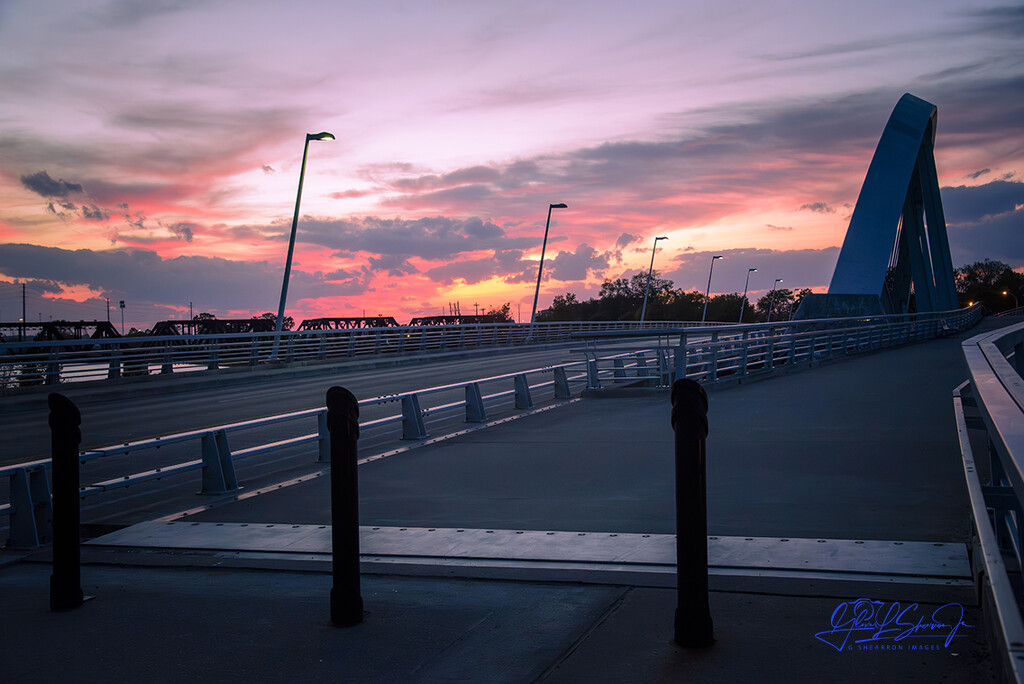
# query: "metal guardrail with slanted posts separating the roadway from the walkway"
708,356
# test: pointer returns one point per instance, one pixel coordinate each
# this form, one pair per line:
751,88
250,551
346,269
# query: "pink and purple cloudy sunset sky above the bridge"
150,150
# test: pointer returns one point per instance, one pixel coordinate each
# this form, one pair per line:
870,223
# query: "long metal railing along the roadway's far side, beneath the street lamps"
29,364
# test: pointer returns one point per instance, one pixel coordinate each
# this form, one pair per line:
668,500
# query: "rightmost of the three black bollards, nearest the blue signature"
690,420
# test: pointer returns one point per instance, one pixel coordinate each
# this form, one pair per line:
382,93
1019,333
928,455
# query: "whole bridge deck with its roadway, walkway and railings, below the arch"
518,508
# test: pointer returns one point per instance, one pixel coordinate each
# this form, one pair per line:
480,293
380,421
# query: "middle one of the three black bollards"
344,424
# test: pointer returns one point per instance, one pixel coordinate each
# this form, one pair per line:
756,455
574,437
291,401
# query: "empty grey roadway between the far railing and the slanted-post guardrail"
177,405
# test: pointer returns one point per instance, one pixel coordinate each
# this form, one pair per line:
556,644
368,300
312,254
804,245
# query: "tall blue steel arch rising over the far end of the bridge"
897,243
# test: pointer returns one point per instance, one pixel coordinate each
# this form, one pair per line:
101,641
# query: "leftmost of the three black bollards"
66,436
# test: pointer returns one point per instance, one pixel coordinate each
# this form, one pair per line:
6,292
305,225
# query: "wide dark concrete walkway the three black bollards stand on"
863,451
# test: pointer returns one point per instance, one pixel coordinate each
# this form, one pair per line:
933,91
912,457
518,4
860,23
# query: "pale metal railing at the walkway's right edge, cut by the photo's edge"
990,410
